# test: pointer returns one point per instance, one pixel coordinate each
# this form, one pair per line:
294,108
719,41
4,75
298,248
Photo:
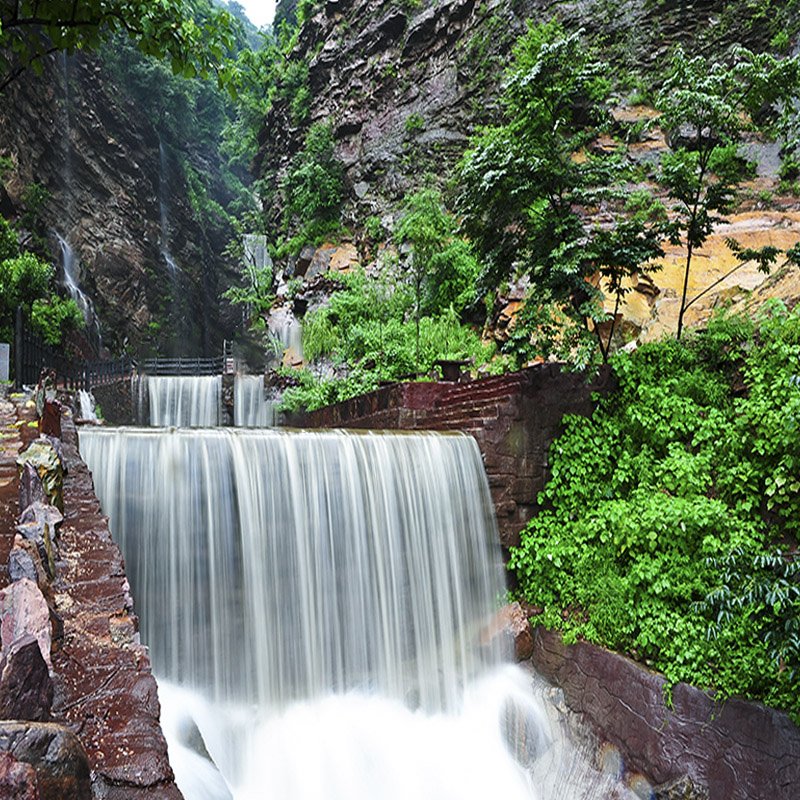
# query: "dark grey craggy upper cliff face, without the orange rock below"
404,84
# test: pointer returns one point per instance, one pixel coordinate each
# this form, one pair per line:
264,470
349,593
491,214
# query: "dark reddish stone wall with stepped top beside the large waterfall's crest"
514,418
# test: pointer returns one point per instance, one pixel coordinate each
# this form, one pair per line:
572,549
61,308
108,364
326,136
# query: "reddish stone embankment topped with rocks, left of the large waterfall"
74,679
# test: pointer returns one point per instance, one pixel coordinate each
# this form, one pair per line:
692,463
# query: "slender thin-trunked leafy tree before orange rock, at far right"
705,107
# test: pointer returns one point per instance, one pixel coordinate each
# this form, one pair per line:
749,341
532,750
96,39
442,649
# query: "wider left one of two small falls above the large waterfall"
181,400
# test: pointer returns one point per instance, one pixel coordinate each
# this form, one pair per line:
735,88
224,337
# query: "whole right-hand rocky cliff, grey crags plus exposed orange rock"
404,84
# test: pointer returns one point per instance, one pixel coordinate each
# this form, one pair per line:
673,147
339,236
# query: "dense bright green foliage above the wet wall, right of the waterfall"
662,507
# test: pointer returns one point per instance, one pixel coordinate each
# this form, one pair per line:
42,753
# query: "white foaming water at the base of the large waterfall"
507,741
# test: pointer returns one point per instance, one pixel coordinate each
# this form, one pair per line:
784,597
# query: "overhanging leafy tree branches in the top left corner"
30,30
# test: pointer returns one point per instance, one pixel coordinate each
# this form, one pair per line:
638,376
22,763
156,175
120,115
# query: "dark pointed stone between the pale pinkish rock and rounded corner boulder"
26,688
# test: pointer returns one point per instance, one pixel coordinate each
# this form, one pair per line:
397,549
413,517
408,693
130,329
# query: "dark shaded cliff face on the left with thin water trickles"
120,203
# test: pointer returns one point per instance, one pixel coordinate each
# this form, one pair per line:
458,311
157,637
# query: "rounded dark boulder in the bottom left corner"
55,753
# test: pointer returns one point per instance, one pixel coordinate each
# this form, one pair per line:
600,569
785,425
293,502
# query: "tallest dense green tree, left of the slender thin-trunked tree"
530,188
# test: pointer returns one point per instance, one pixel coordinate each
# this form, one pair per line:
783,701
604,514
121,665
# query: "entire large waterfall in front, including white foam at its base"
320,598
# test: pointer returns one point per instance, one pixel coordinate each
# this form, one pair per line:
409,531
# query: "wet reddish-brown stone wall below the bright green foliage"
734,750
